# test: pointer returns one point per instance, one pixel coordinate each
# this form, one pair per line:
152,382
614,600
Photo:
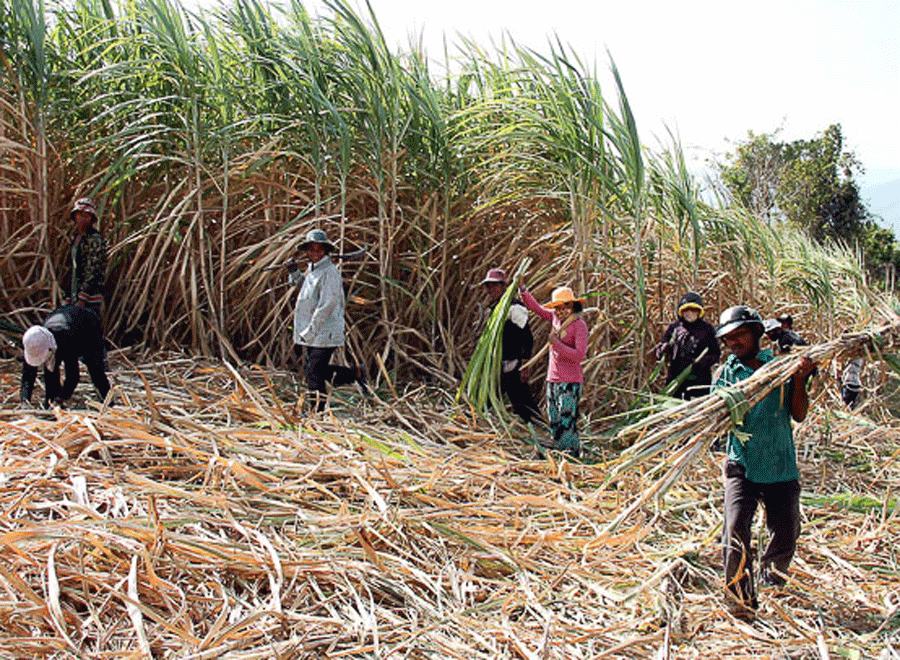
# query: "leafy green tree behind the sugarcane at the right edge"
811,184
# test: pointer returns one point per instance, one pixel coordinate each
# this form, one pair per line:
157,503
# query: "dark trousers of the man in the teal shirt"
782,505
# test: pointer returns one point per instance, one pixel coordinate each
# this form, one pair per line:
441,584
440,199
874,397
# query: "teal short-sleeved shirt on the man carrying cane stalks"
768,455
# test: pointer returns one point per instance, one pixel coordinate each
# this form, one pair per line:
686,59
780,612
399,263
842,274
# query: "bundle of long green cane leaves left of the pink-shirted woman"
480,384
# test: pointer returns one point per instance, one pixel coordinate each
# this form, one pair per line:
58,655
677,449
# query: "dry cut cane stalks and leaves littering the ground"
203,517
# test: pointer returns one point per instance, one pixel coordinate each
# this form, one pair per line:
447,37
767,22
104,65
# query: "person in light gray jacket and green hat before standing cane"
319,319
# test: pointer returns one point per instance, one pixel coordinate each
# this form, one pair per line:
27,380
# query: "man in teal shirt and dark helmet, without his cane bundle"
761,462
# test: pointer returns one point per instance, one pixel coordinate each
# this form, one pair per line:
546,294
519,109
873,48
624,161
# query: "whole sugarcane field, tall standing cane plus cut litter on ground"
207,508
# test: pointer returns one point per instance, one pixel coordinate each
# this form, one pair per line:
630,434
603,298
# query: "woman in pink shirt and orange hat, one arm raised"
568,349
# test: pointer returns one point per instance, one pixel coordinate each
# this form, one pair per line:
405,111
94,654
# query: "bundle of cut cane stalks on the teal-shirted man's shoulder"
666,443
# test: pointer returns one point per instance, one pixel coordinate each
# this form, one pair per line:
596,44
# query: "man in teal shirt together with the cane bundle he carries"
755,398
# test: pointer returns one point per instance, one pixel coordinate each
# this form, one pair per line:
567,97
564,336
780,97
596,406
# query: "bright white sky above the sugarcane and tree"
712,70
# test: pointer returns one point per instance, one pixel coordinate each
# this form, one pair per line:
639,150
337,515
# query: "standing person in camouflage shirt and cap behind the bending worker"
87,258
